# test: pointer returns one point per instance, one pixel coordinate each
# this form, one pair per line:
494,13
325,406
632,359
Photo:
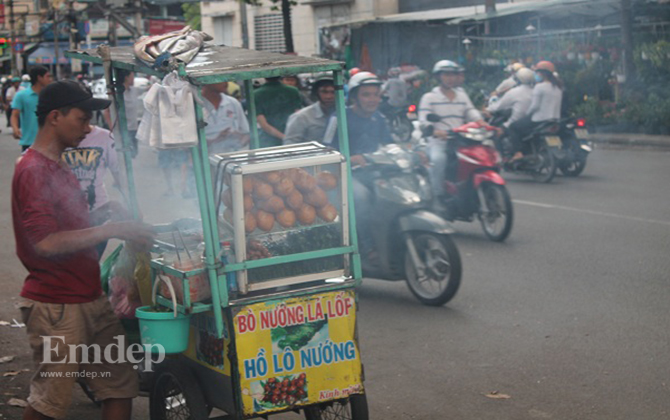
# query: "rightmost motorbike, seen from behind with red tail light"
575,146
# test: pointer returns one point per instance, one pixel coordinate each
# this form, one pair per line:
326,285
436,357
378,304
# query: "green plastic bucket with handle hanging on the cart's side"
167,329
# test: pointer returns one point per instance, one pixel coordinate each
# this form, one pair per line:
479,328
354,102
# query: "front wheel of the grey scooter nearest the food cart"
441,278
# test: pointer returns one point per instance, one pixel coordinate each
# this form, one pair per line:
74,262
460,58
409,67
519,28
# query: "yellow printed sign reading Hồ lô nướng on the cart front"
297,351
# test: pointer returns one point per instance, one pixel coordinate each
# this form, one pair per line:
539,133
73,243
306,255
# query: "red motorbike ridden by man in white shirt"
479,191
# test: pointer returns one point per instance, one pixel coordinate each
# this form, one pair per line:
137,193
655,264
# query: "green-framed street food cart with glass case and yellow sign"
277,329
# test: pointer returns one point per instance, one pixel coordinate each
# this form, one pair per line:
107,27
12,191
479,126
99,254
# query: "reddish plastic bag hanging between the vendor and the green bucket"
130,282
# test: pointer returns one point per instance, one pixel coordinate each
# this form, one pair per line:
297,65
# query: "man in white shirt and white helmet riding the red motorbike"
450,102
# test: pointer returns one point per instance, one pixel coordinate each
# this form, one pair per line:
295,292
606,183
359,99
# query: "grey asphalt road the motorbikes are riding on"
568,318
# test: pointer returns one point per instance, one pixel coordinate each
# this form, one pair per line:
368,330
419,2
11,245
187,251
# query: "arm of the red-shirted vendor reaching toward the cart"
69,242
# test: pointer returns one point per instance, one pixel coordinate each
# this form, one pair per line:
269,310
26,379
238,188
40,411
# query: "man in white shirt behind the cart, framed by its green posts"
227,127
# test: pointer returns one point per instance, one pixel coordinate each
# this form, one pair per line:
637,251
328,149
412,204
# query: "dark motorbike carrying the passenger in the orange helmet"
539,148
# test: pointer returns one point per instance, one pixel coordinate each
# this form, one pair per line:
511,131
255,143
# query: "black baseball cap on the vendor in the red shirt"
68,93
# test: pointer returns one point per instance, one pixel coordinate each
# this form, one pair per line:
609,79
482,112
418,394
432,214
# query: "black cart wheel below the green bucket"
176,394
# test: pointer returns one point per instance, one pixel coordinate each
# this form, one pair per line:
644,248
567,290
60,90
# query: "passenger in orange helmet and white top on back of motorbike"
545,105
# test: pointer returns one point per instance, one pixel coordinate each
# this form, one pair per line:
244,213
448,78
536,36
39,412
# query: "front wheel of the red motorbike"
497,220
